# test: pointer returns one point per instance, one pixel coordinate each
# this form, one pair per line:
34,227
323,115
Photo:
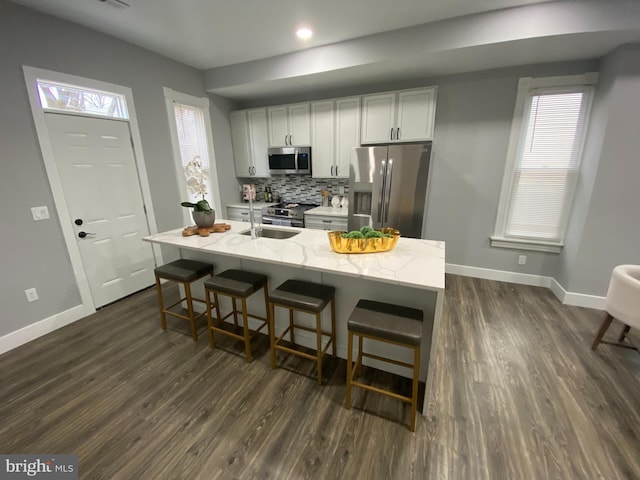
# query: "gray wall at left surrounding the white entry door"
34,253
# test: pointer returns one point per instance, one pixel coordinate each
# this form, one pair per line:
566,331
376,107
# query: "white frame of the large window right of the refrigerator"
528,87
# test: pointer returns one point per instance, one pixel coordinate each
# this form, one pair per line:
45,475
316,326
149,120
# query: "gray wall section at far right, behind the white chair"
609,224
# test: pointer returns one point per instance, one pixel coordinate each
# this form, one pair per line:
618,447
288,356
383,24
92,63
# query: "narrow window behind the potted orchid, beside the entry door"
191,138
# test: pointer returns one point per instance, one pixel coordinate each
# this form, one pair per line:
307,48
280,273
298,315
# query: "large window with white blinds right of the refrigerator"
544,154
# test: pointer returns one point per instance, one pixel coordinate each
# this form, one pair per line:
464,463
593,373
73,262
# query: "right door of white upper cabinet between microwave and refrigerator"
347,133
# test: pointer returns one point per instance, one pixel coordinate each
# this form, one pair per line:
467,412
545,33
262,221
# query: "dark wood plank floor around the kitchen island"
518,395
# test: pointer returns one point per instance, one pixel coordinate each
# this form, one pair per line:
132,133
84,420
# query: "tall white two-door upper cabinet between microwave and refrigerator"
335,130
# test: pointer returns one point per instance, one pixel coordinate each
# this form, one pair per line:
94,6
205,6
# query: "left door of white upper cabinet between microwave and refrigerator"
322,139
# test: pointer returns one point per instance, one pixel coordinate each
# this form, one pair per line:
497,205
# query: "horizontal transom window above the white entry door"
75,99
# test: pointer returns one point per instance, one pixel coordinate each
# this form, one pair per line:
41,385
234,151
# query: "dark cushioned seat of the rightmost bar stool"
384,320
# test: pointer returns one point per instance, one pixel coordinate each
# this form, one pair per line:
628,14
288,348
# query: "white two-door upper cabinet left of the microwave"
250,142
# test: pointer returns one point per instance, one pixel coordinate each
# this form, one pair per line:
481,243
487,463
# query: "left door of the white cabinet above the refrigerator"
378,118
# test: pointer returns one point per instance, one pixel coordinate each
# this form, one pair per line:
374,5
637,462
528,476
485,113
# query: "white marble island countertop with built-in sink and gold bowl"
413,262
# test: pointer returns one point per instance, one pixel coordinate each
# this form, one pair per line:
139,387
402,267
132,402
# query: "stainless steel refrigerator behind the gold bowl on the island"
388,187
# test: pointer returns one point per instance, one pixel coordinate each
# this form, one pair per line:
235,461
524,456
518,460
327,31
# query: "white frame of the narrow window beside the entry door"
172,97
